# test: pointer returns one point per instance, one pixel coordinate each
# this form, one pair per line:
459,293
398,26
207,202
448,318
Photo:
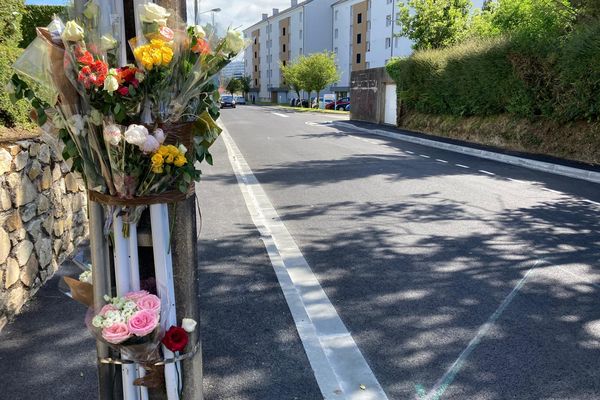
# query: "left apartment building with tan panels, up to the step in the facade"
303,28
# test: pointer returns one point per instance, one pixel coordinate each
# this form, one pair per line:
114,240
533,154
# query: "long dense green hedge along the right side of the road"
558,79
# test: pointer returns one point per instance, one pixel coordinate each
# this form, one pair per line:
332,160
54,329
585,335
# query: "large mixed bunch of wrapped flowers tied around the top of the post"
134,128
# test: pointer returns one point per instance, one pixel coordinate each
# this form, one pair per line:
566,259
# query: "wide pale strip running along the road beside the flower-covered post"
339,367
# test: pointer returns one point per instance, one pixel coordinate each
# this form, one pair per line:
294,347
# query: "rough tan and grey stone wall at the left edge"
43,217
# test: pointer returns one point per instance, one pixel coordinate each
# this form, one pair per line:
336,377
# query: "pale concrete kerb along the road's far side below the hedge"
551,168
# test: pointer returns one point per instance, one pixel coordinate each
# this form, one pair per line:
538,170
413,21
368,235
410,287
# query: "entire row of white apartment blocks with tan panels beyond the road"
362,34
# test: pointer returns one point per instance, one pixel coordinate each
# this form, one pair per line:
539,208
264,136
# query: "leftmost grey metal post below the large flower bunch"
101,284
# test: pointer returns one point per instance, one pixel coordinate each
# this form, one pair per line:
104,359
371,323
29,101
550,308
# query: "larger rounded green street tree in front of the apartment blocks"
317,71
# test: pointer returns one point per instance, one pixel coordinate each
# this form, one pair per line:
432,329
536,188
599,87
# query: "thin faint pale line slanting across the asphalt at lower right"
446,380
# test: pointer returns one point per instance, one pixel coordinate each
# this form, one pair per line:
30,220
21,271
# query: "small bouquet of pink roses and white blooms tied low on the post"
131,319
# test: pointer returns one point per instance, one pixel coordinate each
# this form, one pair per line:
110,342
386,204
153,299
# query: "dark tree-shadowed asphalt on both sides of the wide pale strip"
474,278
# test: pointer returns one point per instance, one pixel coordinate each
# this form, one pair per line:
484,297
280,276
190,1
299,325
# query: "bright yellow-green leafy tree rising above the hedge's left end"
432,24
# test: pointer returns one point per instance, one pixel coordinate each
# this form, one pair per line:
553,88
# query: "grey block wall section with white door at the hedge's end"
367,91
